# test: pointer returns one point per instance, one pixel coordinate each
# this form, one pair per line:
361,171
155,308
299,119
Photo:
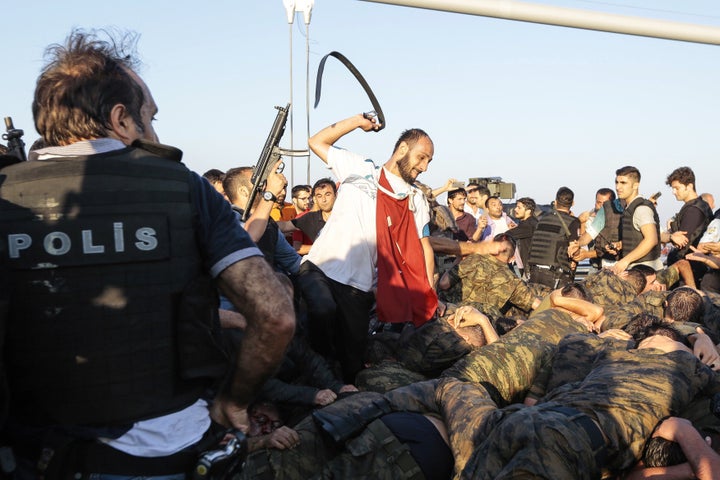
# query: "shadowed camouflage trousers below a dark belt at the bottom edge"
537,443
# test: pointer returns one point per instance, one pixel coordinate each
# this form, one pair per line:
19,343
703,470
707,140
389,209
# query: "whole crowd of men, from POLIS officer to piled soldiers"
150,315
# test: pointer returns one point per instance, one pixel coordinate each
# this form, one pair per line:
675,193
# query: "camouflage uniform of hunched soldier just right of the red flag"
486,280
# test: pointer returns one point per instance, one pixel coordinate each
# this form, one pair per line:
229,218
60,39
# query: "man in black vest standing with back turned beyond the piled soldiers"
549,262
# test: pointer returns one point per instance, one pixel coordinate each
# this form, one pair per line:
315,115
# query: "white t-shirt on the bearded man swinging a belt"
346,249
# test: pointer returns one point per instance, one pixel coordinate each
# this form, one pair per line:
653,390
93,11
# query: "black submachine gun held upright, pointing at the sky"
269,156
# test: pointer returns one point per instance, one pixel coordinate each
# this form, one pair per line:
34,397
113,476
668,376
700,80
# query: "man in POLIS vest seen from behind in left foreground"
110,257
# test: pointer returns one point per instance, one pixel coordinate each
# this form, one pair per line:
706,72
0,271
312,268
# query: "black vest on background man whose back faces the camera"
550,241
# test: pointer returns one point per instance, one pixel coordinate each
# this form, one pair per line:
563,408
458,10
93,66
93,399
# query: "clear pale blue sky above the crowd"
537,105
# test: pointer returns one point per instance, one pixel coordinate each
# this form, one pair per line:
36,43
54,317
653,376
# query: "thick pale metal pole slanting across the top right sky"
569,17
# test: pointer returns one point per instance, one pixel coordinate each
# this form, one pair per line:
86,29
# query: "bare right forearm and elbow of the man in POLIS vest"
270,327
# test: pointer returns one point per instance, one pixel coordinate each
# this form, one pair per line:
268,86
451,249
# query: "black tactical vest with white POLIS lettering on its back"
111,318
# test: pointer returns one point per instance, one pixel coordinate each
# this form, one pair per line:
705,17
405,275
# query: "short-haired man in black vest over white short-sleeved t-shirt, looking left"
639,226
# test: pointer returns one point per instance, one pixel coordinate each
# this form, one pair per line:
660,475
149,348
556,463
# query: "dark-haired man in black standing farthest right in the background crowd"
690,222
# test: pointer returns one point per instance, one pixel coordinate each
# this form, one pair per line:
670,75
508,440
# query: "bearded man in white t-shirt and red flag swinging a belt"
377,234
